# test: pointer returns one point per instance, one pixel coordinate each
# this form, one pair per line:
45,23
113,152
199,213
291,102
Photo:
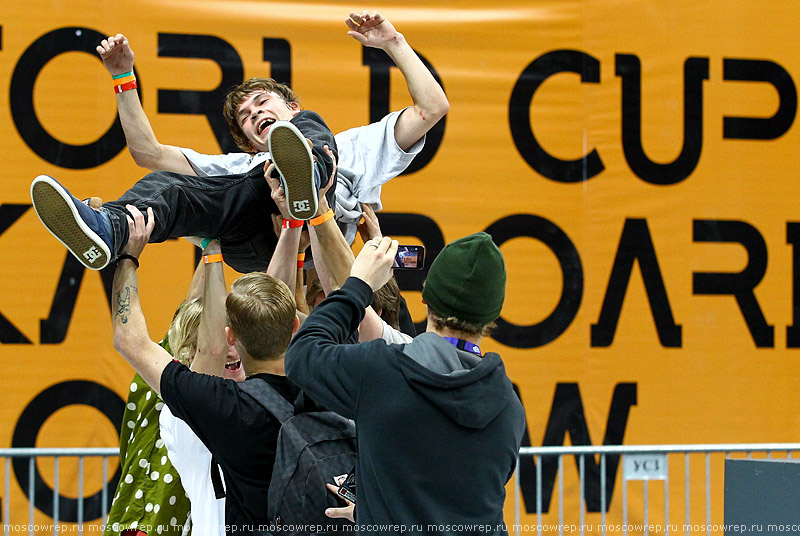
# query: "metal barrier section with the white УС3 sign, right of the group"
635,467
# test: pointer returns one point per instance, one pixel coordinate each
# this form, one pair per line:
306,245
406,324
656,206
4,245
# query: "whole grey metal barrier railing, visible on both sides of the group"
544,465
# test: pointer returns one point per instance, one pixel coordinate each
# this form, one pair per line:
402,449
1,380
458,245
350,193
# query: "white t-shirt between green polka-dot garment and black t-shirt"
192,460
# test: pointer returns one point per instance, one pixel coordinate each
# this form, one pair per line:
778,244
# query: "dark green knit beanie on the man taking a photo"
467,280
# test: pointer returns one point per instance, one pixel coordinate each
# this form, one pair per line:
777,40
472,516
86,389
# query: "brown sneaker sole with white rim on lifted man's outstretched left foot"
57,212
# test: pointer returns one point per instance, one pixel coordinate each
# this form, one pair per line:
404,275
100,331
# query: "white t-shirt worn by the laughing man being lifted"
369,157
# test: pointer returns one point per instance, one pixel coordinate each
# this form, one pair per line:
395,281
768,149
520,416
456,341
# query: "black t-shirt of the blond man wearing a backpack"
238,432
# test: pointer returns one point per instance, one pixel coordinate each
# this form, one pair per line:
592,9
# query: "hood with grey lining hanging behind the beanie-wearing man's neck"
469,389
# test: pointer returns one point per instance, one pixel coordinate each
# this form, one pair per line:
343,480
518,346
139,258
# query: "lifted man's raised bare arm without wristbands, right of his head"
430,102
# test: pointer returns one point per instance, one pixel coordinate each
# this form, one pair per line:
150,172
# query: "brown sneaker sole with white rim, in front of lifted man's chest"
293,159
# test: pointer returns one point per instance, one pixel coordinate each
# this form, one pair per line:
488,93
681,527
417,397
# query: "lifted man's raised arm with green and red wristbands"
145,149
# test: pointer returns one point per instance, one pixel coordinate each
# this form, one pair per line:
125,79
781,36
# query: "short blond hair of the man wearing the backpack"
261,312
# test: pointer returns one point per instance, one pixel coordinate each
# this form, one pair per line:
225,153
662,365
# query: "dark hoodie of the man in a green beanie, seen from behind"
438,428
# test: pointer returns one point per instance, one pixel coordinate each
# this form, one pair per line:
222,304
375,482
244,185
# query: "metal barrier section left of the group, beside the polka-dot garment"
32,478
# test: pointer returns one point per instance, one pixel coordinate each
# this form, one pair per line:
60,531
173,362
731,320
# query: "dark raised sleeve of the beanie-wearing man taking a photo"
320,363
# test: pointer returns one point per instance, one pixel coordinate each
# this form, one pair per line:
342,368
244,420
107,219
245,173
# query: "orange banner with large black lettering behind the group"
634,160
